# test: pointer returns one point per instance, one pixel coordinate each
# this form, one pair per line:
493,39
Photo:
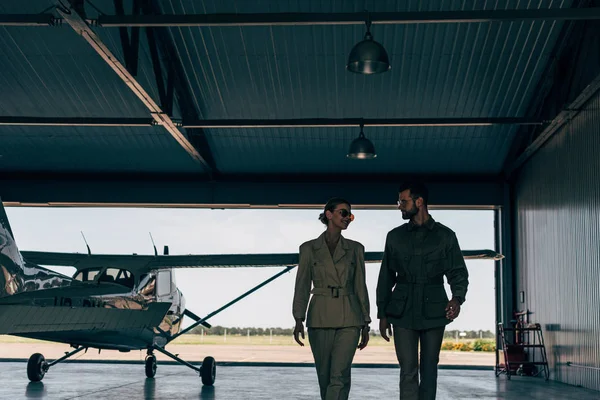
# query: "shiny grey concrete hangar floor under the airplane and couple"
127,381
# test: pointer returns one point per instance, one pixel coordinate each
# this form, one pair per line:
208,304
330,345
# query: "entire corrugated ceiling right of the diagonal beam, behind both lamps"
438,70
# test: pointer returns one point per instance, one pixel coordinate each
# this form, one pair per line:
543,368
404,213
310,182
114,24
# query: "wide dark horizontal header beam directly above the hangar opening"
240,190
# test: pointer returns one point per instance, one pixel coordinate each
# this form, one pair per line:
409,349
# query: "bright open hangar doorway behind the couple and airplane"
469,341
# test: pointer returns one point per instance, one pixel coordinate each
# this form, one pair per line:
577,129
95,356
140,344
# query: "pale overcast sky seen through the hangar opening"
235,231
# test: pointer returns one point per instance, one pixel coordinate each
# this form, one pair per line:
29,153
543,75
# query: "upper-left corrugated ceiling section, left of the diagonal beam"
45,72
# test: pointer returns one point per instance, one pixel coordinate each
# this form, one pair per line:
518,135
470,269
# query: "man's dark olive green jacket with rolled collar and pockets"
410,288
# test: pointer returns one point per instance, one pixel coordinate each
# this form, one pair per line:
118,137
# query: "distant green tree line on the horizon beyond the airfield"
220,330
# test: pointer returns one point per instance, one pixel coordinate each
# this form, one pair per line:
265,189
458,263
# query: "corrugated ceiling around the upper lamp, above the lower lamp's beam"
469,70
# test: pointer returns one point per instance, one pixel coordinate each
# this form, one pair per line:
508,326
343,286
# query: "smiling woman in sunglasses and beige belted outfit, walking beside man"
338,313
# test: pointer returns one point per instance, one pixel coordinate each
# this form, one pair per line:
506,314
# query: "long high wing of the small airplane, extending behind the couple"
150,262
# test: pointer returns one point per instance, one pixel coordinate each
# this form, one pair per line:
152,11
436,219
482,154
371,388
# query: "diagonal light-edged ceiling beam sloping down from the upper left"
82,28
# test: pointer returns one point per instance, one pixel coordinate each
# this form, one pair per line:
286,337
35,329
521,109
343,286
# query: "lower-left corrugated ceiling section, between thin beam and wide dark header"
92,149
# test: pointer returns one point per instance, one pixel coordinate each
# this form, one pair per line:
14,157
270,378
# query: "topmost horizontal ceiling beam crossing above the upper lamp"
358,18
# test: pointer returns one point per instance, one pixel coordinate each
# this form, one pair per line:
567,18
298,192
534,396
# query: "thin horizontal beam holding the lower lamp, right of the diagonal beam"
350,122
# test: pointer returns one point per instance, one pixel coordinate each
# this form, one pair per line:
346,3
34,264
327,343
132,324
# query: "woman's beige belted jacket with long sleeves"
340,297
